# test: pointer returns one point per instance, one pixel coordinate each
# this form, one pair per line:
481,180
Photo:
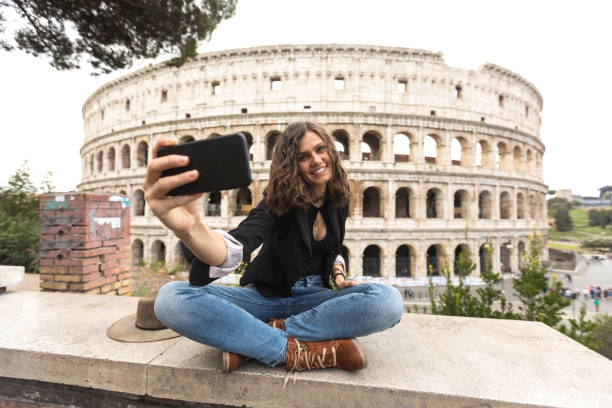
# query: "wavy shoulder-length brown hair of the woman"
287,188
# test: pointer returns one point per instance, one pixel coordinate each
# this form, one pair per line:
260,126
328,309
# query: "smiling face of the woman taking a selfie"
314,162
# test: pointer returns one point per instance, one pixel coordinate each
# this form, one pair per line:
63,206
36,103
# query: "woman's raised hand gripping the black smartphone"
179,213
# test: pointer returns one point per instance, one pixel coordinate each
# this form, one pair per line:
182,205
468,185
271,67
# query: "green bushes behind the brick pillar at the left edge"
19,220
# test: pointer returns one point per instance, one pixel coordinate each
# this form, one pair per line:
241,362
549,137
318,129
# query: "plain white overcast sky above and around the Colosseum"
562,47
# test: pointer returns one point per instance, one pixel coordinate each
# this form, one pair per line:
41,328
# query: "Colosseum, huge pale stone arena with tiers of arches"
441,160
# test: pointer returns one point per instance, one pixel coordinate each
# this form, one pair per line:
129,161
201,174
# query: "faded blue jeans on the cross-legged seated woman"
234,318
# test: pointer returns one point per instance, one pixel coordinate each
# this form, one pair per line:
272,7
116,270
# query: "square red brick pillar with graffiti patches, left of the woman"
85,243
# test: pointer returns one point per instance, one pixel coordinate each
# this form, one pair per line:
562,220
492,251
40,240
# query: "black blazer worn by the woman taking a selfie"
286,247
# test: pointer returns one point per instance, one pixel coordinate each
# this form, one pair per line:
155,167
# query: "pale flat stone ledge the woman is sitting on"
425,361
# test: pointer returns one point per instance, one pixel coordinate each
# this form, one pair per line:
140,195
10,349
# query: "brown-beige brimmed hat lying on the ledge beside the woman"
141,327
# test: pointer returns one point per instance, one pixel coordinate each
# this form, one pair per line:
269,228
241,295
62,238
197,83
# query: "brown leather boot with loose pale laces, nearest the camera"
311,355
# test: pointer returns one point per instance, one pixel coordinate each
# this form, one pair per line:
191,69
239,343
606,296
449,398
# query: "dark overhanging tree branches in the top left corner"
110,34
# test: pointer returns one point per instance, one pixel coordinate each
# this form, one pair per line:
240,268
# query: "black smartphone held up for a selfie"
222,164
